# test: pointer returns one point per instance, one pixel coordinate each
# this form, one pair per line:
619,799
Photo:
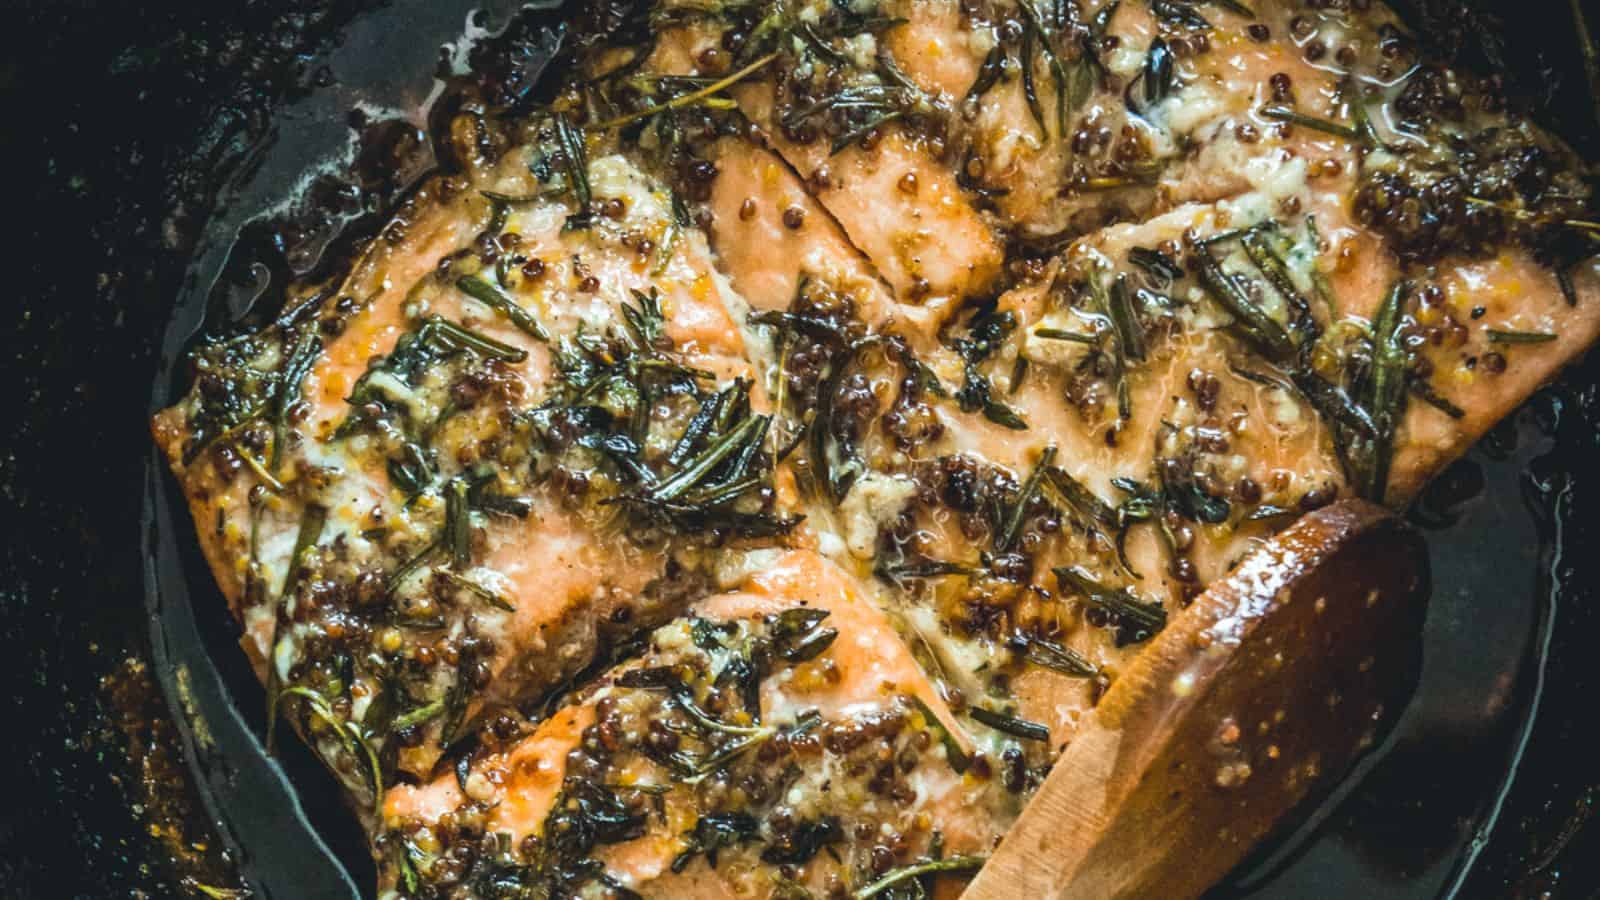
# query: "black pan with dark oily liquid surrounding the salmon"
140,139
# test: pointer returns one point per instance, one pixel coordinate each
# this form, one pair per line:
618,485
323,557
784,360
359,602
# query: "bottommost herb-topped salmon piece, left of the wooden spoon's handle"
842,734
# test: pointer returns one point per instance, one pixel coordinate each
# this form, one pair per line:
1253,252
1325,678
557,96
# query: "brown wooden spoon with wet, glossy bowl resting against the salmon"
1255,699
